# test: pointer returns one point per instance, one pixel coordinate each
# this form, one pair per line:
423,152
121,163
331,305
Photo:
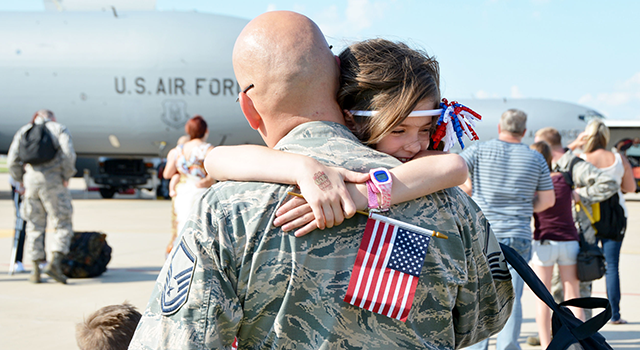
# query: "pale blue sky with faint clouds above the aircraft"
585,52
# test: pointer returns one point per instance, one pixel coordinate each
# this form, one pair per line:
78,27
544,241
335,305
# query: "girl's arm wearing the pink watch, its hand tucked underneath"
429,172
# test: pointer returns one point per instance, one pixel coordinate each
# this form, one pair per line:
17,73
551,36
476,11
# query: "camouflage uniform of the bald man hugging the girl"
273,290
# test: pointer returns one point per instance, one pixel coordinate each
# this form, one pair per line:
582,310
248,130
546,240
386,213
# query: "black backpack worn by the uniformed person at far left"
37,145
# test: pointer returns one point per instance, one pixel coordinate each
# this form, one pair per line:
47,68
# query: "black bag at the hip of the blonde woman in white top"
608,219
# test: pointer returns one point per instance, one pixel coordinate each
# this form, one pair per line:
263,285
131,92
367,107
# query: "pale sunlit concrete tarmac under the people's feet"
138,228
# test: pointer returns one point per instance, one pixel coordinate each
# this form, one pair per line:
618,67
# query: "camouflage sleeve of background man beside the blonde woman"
592,184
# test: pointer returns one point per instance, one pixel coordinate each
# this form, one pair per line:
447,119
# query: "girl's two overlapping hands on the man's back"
327,199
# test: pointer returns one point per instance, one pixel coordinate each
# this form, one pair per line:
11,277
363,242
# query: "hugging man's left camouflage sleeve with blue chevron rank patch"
194,303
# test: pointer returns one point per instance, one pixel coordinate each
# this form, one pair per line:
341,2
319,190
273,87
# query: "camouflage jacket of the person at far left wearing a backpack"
63,165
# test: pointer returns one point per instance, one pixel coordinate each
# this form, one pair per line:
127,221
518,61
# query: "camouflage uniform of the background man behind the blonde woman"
593,186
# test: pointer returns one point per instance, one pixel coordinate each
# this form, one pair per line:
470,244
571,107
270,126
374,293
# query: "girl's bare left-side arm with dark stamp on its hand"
324,187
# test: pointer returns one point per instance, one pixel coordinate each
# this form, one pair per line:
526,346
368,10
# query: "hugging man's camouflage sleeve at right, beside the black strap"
483,304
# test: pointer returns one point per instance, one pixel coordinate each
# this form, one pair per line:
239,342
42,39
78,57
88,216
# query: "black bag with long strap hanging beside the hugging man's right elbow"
565,327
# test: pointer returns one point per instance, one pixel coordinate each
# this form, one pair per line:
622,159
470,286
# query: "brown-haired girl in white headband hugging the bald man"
390,95
